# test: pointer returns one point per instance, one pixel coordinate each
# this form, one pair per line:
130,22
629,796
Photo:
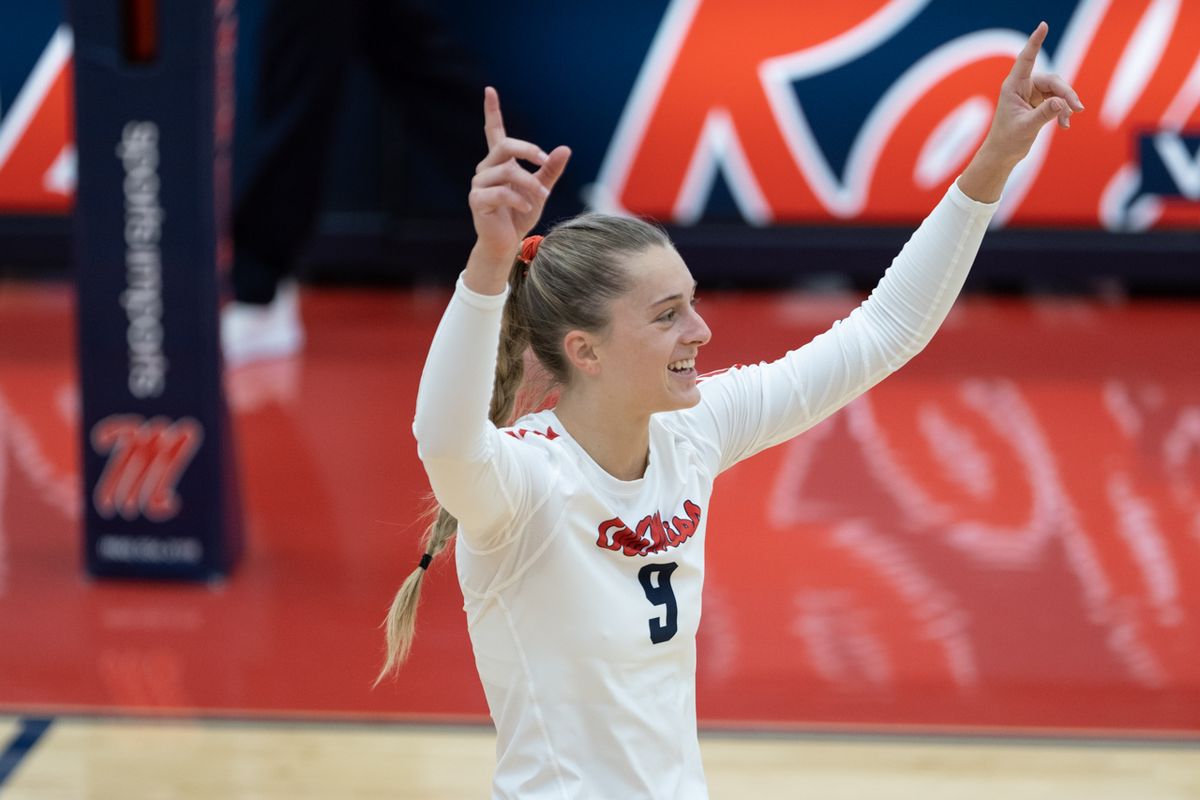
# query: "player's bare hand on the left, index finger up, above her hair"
507,200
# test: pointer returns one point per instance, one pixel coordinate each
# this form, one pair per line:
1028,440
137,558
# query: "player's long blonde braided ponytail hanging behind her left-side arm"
401,622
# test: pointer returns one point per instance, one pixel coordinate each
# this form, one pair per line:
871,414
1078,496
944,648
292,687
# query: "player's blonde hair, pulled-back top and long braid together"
578,272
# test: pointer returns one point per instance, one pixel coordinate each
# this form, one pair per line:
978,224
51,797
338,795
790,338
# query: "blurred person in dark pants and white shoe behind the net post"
305,50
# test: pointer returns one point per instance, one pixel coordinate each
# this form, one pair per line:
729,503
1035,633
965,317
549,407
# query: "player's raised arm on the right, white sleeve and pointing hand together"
752,408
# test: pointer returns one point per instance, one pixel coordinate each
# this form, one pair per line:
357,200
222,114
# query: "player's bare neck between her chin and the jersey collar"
620,444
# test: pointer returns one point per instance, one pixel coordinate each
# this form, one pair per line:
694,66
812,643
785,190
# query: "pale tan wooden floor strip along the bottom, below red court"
136,760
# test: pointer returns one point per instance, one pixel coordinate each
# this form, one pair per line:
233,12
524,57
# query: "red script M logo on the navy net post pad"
146,461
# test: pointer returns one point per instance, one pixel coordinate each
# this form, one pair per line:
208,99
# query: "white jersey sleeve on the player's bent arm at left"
477,473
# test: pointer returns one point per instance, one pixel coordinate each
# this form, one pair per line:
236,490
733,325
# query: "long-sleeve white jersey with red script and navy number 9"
583,591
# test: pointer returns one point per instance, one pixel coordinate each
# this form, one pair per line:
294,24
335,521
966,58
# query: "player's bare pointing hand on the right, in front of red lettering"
1028,103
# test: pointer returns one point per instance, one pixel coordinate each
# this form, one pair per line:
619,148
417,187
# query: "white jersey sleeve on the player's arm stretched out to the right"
745,411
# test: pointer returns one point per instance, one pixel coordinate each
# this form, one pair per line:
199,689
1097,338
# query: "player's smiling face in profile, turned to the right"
646,359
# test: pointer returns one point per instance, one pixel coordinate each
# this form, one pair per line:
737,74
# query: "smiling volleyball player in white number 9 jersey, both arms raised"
581,530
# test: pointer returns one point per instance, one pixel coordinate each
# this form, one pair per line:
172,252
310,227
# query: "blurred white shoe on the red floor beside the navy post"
254,333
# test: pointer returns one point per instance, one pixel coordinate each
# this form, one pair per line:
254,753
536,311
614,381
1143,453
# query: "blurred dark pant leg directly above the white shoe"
305,46
